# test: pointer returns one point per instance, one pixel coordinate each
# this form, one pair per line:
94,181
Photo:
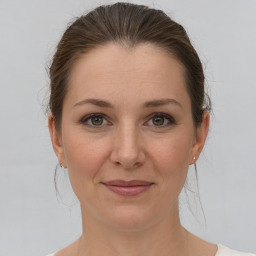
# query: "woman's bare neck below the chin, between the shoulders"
162,238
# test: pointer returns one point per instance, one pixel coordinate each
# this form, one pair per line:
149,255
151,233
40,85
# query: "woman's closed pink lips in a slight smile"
128,188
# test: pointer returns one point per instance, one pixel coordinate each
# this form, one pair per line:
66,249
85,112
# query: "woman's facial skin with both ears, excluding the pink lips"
127,116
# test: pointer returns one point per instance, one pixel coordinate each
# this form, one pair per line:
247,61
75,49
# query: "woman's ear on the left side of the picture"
56,140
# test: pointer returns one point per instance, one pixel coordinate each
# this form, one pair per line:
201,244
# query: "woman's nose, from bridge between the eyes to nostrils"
127,148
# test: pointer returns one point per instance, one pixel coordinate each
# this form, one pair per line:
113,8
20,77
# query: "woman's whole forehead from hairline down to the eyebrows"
143,72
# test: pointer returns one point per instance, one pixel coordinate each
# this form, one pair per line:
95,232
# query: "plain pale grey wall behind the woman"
33,220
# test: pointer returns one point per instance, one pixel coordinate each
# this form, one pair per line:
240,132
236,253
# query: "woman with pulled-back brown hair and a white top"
128,115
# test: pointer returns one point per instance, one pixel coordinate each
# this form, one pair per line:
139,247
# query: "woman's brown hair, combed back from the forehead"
129,25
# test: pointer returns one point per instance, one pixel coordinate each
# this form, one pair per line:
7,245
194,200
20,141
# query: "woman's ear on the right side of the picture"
200,137
